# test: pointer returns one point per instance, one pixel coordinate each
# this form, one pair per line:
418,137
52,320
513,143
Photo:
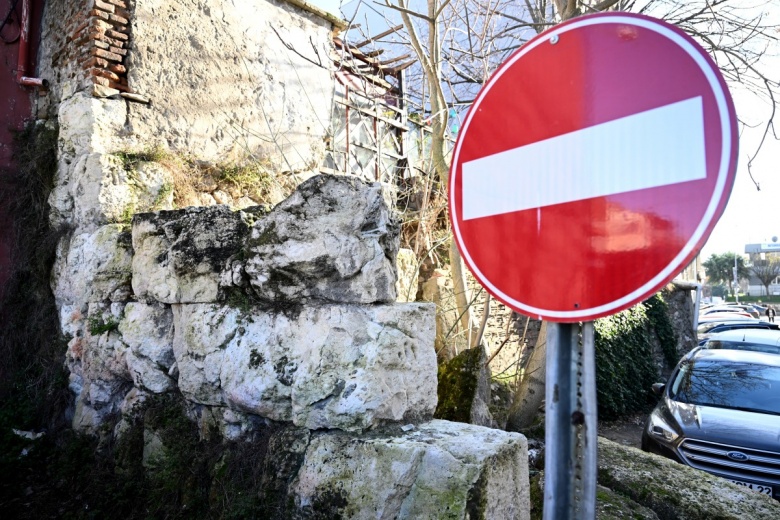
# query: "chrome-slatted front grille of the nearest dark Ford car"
761,466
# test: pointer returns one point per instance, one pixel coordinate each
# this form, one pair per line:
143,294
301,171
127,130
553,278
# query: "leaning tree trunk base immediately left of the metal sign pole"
530,393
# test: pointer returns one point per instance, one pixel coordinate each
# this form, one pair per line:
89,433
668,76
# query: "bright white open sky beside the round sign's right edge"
752,215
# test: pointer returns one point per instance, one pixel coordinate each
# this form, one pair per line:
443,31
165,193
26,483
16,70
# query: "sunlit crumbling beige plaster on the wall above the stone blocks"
250,78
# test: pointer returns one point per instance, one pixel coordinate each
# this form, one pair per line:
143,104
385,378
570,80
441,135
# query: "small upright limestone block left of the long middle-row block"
147,330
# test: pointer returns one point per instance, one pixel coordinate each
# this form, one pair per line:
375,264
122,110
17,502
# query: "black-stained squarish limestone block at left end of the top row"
180,255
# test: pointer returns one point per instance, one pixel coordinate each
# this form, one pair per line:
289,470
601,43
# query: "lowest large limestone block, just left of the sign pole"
439,470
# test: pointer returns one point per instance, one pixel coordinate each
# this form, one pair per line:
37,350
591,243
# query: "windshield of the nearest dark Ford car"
735,385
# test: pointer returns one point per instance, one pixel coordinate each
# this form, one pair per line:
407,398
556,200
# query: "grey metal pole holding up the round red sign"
570,423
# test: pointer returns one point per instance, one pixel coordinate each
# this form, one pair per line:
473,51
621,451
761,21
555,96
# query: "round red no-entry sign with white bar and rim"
592,167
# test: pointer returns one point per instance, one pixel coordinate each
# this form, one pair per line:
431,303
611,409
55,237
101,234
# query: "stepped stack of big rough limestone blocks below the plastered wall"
326,350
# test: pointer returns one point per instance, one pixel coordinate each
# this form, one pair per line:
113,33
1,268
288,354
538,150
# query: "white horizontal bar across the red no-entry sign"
658,147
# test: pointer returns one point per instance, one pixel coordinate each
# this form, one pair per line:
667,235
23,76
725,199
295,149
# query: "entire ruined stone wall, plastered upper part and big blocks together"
252,314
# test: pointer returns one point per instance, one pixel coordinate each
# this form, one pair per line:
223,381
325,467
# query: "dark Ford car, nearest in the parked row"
720,412
